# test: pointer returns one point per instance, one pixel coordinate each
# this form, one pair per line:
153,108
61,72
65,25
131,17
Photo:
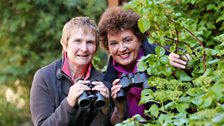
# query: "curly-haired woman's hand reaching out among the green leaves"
179,61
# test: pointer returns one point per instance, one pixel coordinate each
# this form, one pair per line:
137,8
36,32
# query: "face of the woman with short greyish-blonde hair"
81,48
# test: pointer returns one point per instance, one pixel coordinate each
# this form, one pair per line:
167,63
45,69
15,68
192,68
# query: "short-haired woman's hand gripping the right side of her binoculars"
104,91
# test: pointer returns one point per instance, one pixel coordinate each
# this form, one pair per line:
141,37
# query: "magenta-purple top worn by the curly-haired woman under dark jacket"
134,95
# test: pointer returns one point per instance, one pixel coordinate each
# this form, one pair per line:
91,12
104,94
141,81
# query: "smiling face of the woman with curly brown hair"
124,47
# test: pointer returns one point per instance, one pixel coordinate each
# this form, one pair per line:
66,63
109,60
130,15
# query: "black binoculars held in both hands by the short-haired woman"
88,98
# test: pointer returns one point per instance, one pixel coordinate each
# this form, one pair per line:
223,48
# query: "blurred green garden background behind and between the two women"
30,32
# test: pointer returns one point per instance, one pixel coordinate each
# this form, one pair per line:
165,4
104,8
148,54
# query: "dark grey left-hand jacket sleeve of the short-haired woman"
42,105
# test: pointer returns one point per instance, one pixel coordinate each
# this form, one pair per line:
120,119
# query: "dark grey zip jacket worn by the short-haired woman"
48,103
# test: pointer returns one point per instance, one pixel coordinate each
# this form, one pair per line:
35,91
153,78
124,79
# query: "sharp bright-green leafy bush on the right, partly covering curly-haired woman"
194,96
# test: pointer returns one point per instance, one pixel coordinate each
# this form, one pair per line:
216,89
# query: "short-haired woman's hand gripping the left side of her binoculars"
76,90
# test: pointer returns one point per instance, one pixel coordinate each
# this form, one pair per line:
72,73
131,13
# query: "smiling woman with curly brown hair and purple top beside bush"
121,37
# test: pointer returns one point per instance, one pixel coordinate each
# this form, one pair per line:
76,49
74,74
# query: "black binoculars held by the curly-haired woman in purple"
138,79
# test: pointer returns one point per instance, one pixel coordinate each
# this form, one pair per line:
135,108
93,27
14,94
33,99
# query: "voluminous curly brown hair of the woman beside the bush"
116,19
